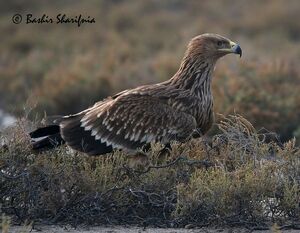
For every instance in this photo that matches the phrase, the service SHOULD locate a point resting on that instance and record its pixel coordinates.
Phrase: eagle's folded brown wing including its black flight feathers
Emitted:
(129, 121)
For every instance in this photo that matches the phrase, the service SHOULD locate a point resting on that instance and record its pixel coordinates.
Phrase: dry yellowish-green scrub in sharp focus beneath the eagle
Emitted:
(237, 179)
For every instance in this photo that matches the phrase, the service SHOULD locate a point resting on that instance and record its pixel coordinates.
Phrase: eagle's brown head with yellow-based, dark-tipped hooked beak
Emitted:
(212, 47)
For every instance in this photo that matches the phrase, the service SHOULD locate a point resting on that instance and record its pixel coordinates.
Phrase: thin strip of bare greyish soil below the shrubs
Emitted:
(66, 229)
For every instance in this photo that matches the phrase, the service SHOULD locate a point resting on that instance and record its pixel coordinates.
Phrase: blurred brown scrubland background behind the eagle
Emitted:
(62, 69)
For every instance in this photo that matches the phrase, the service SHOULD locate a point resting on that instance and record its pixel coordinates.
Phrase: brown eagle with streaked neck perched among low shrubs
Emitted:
(173, 110)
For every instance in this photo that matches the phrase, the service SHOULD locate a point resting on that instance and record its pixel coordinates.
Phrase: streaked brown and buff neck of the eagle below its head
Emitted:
(194, 75)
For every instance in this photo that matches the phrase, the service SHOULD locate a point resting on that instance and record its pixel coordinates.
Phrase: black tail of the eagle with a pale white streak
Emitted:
(46, 138)
